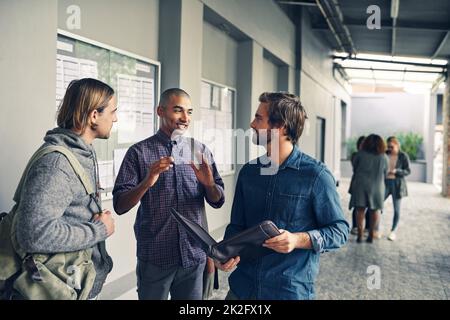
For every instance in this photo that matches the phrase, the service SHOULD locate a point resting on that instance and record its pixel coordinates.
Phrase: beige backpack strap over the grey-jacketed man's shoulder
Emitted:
(76, 165)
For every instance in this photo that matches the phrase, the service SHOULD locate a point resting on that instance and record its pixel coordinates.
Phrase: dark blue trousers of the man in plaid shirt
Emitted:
(155, 283)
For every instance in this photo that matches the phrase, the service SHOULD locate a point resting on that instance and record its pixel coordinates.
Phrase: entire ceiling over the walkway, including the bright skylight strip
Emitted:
(410, 46)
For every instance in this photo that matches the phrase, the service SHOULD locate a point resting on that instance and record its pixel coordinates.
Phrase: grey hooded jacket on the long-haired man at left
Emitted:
(55, 214)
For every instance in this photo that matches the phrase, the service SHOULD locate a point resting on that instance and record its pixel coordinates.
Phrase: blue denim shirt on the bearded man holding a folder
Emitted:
(300, 197)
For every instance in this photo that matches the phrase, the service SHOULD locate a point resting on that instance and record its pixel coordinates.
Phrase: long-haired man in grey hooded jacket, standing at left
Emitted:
(55, 213)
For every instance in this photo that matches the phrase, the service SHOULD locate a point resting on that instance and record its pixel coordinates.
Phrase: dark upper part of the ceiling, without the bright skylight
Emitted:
(421, 27)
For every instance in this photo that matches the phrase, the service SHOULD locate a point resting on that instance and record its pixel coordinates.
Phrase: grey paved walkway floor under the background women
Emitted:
(415, 266)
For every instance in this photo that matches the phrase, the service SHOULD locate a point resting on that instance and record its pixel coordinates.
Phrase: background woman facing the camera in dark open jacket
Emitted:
(395, 180)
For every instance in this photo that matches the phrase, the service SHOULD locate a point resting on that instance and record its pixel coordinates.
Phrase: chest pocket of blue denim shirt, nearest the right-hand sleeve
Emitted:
(292, 210)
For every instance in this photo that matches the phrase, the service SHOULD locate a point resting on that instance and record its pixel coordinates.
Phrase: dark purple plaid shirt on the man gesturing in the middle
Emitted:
(160, 240)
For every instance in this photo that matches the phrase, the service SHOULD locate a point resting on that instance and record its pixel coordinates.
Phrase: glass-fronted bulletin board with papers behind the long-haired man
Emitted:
(136, 82)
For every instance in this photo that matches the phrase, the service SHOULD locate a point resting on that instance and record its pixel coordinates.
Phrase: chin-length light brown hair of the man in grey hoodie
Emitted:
(82, 97)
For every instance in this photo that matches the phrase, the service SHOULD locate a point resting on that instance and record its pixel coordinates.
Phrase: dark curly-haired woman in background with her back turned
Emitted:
(367, 188)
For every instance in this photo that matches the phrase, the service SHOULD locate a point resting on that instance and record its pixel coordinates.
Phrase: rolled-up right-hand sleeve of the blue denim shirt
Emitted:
(333, 229)
